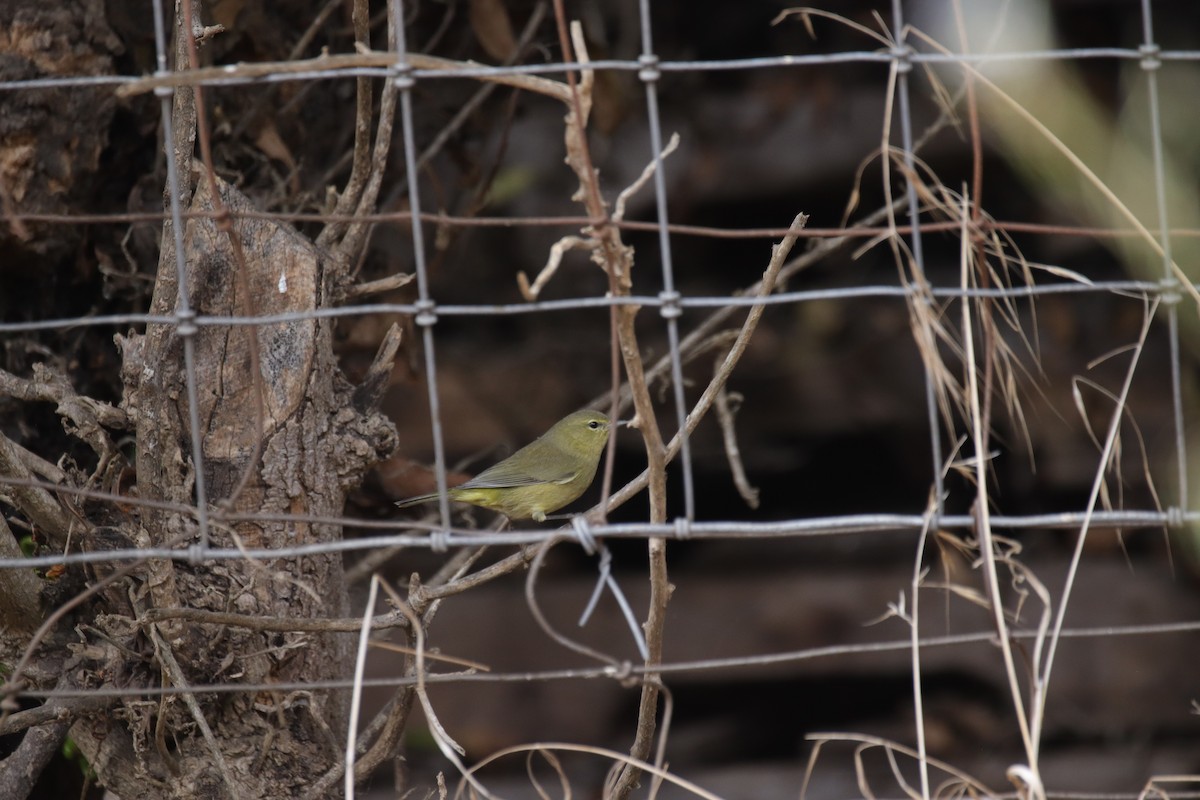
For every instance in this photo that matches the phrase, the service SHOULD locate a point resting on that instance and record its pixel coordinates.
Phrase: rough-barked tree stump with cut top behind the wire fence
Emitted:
(279, 436)
